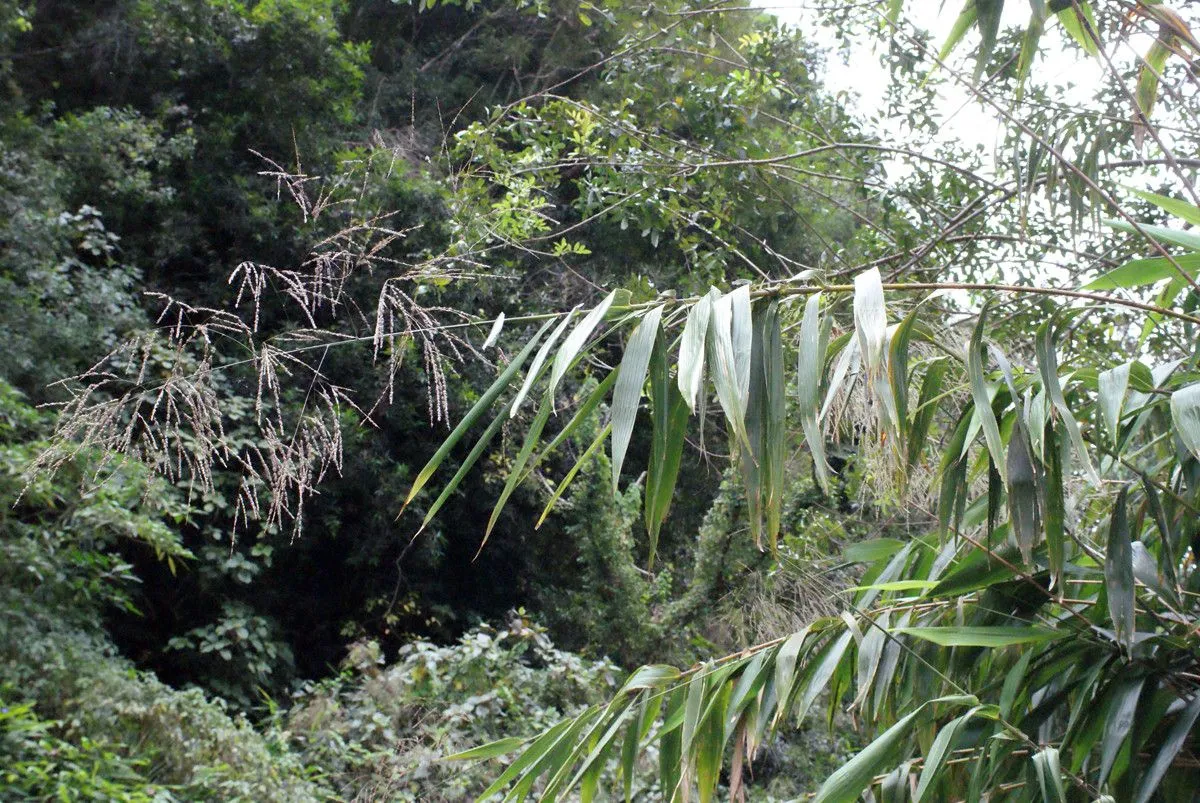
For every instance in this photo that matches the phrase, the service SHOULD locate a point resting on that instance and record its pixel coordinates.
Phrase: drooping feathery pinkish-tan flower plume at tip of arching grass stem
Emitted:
(177, 399)
